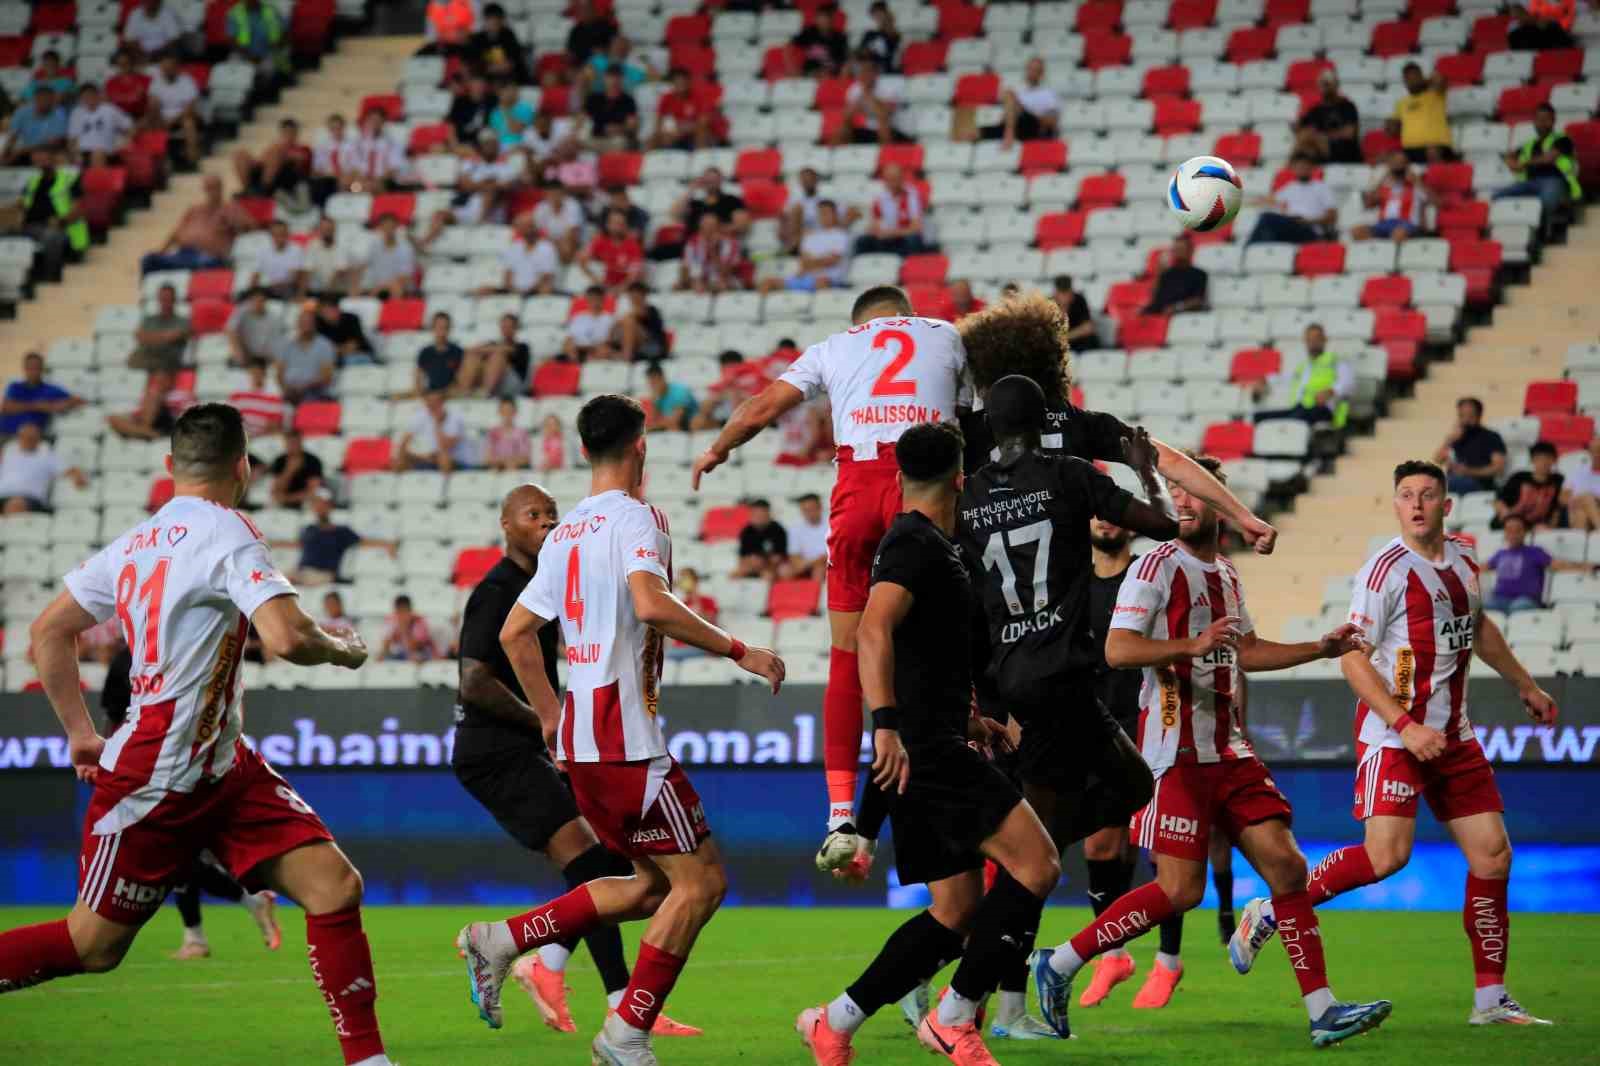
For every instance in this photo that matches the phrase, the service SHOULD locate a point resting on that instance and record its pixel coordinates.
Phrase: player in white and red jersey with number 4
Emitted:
(606, 572)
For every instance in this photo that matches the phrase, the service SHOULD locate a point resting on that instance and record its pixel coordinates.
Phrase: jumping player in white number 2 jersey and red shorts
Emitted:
(887, 374)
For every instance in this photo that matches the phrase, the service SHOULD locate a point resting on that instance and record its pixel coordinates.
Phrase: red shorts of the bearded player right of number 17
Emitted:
(1193, 798)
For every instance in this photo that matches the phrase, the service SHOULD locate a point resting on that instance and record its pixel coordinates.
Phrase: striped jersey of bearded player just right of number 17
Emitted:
(1188, 711)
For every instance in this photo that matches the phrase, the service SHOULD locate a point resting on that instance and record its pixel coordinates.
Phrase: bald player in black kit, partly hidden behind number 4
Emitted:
(503, 759)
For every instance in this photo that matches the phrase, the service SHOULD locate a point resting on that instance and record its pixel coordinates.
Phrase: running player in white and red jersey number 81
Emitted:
(177, 779)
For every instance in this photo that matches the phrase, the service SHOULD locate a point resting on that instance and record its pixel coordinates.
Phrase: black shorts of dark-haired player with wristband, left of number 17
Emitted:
(954, 803)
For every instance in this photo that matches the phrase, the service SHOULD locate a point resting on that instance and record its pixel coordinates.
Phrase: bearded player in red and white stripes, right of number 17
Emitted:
(1182, 617)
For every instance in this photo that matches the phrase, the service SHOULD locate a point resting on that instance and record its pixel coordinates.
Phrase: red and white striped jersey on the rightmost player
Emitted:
(1422, 619)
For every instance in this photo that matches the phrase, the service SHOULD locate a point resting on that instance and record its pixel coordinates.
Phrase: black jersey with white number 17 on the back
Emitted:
(1025, 527)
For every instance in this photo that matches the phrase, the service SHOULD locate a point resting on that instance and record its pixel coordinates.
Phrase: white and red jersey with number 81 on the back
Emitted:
(183, 585)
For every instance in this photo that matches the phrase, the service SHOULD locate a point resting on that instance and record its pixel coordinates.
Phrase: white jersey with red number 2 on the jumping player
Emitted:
(884, 377)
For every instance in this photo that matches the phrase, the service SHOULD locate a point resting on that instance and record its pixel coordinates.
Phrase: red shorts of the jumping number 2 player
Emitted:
(866, 499)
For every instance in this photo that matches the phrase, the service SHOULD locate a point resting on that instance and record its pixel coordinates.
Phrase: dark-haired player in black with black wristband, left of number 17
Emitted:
(951, 808)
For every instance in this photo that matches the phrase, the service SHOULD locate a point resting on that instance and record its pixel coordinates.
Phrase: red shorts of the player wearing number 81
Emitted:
(246, 819)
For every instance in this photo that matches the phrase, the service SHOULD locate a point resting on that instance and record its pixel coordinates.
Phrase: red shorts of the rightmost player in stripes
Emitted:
(1455, 785)
